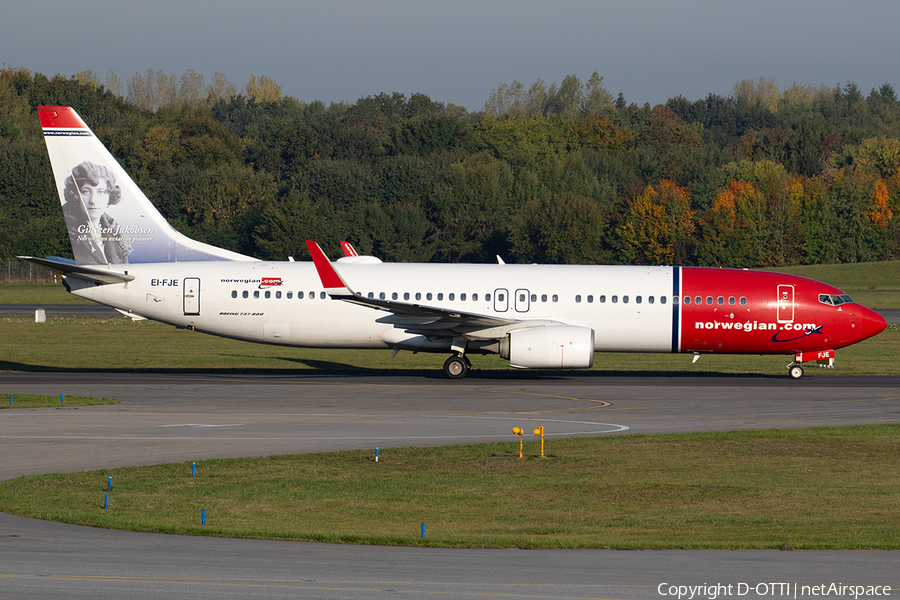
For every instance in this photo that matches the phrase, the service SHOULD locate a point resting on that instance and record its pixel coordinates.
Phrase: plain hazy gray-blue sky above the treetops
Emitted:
(457, 52)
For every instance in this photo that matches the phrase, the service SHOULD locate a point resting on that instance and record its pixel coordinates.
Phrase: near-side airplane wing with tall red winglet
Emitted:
(415, 318)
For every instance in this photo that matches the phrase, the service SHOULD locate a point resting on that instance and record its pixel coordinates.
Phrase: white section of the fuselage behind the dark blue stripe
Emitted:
(285, 303)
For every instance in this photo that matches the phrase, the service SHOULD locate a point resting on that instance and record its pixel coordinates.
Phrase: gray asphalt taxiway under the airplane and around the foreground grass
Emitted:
(165, 417)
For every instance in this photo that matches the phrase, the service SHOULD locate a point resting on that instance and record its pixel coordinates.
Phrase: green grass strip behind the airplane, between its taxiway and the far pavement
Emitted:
(91, 344)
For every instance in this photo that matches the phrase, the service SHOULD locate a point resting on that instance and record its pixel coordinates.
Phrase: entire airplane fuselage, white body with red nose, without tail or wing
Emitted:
(630, 309)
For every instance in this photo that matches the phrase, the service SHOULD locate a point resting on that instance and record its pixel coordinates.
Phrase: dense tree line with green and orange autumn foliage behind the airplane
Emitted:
(566, 173)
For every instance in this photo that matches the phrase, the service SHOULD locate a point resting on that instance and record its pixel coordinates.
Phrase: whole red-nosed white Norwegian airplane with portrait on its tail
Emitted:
(536, 316)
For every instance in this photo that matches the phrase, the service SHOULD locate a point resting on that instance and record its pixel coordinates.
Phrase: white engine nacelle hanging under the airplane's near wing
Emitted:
(549, 347)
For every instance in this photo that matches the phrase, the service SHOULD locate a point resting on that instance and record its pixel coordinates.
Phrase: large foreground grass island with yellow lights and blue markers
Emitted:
(806, 488)
